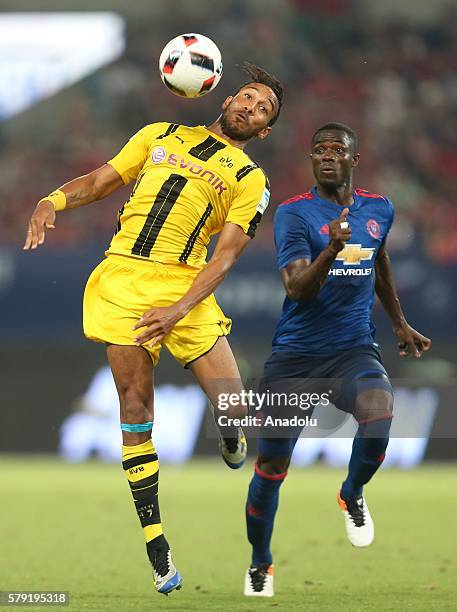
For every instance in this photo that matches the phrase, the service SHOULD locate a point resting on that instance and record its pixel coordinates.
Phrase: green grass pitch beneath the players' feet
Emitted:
(73, 528)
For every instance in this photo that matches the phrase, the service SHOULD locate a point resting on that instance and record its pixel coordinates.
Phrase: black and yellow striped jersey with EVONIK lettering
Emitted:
(189, 183)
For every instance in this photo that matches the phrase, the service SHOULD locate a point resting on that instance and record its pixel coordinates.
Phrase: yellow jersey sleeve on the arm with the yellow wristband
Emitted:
(132, 157)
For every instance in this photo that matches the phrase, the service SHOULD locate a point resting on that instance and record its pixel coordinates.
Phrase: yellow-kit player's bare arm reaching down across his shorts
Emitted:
(159, 321)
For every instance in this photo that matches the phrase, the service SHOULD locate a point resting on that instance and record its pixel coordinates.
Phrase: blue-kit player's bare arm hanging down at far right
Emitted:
(411, 342)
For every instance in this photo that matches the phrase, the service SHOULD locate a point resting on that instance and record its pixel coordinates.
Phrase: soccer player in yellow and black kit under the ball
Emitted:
(155, 287)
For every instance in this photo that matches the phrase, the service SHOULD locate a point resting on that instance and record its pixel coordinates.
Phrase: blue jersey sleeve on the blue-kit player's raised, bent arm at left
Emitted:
(291, 236)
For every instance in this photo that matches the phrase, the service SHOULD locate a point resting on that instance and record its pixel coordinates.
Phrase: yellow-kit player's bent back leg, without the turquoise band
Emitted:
(219, 377)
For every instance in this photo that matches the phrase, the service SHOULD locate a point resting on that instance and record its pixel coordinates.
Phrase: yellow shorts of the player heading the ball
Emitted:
(121, 289)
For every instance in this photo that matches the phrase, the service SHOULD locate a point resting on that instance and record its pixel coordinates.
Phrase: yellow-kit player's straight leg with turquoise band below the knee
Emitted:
(133, 375)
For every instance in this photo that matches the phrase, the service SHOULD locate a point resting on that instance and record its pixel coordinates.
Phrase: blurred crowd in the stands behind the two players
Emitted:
(394, 82)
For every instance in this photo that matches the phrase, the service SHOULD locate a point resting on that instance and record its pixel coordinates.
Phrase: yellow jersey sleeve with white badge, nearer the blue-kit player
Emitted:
(251, 199)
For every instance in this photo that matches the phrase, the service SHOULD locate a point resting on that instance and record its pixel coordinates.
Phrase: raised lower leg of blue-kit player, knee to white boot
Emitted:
(373, 412)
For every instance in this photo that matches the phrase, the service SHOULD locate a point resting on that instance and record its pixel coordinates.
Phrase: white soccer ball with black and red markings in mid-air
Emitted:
(190, 65)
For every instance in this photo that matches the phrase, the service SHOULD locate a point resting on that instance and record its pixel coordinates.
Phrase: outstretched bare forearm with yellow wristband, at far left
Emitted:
(78, 192)
